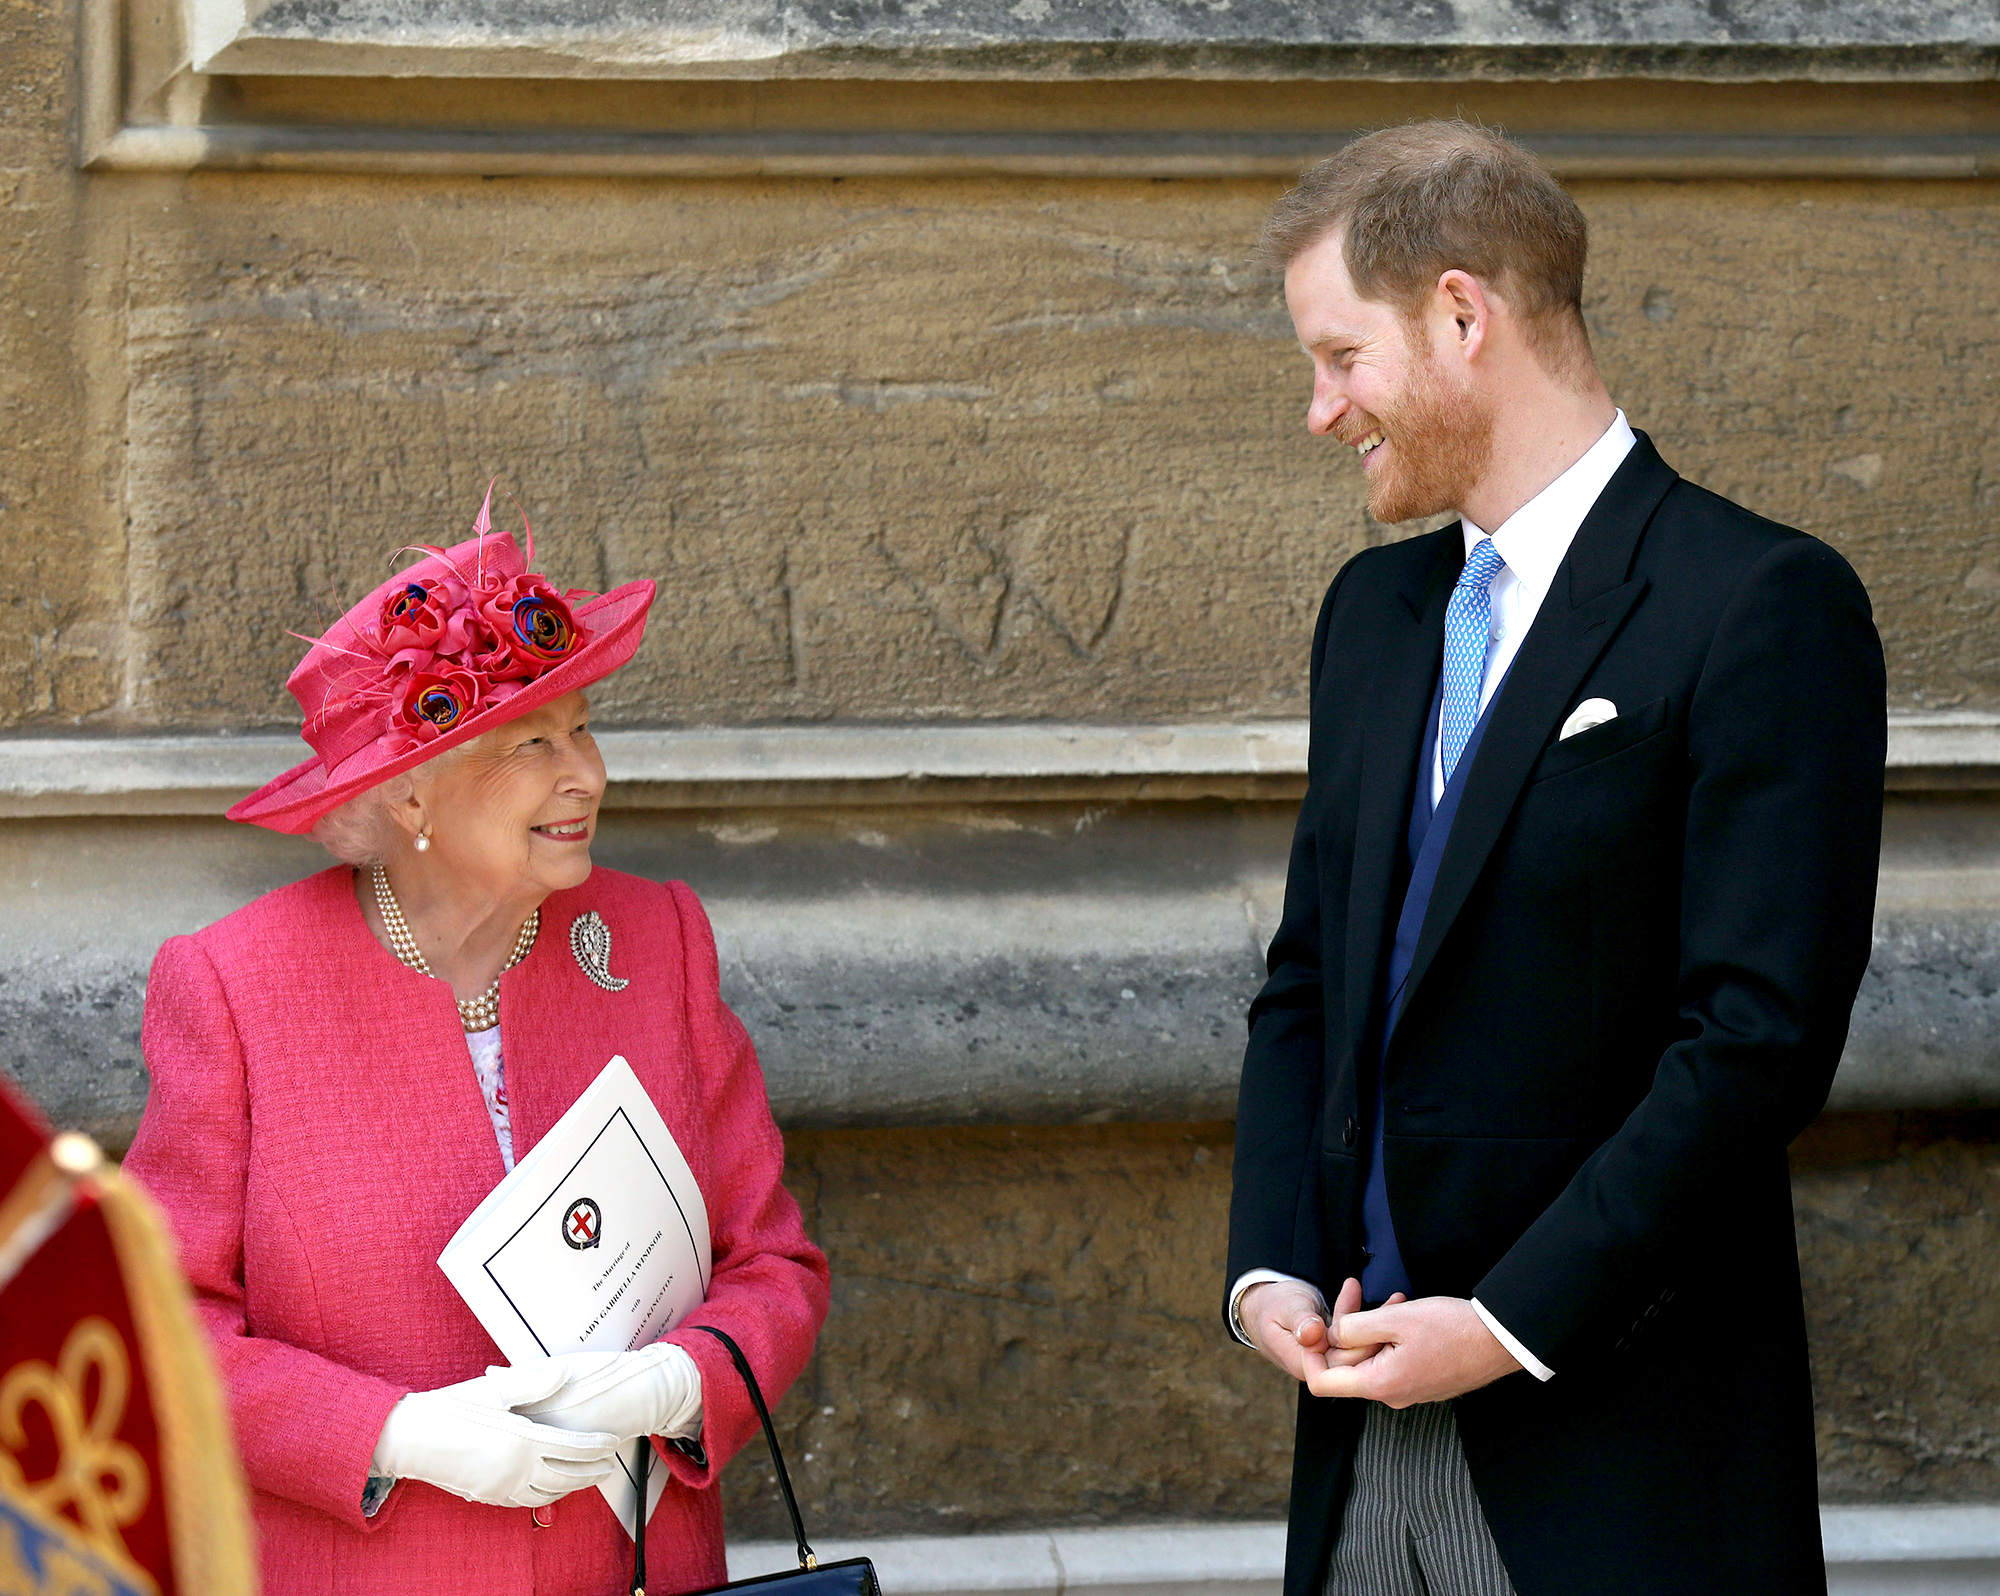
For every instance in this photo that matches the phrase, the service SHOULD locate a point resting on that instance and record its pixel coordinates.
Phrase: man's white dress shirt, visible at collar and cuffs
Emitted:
(1533, 543)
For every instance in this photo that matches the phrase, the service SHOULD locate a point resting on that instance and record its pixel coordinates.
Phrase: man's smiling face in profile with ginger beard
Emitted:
(1383, 387)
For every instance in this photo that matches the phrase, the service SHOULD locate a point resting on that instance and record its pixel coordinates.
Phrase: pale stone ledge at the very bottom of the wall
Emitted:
(1871, 1551)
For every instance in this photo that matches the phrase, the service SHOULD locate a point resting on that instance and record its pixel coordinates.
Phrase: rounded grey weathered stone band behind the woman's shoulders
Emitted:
(953, 965)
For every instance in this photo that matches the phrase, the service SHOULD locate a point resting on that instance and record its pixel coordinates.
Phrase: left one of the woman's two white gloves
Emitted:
(469, 1441)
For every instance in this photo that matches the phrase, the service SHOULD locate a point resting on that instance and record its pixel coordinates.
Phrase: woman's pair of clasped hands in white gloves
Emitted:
(527, 1437)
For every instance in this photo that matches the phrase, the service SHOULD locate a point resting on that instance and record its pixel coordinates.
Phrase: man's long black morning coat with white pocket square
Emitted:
(1631, 993)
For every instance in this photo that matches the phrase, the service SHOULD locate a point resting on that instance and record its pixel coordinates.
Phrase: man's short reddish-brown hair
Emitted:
(1419, 201)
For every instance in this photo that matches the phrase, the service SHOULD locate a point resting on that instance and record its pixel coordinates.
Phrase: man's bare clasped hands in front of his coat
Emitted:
(1399, 1355)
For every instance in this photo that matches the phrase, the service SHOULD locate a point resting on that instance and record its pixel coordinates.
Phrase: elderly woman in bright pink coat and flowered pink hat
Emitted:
(347, 1067)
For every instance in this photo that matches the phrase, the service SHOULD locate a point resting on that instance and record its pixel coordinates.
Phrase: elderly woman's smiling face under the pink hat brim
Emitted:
(515, 813)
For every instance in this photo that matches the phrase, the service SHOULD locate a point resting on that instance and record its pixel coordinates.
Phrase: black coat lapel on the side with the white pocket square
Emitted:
(1553, 661)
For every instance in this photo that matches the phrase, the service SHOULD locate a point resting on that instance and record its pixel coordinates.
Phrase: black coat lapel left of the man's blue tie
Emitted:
(1397, 705)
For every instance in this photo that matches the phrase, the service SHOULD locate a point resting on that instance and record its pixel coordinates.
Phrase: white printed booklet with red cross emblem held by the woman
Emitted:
(599, 1239)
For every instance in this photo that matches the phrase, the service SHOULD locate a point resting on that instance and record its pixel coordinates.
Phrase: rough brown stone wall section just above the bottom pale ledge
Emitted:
(1027, 1327)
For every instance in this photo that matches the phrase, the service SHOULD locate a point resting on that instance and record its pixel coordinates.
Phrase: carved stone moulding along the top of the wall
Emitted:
(147, 69)
